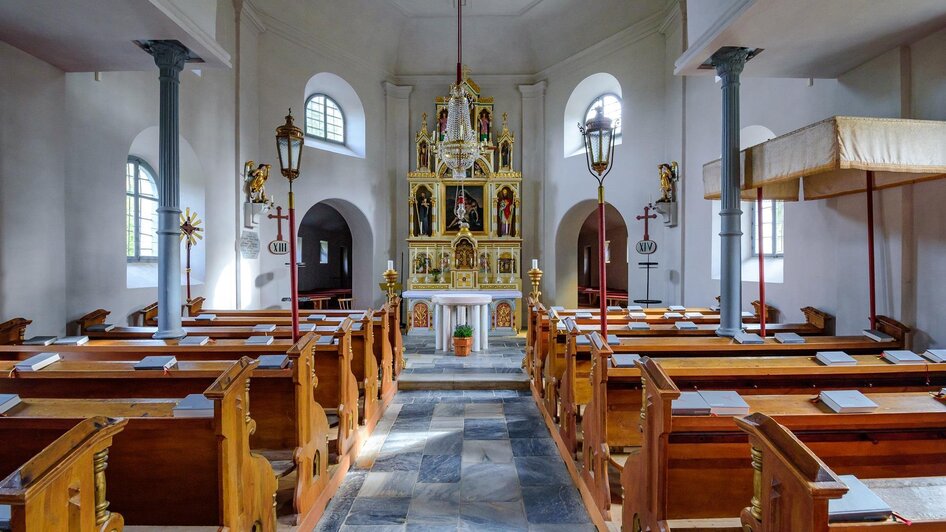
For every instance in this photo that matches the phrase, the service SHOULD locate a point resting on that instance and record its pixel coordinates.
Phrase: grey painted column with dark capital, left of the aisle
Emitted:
(170, 58)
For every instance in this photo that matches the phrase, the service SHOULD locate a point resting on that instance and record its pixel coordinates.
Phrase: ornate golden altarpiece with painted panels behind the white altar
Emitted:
(446, 257)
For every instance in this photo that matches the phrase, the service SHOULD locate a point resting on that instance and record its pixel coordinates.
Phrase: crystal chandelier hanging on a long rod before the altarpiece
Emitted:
(459, 149)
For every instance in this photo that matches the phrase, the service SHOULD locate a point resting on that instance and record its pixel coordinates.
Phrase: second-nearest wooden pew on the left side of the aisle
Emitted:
(174, 471)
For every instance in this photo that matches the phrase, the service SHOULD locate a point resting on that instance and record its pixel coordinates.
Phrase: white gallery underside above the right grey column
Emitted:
(813, 38)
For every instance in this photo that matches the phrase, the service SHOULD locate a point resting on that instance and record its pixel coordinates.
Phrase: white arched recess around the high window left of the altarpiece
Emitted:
(352, 108)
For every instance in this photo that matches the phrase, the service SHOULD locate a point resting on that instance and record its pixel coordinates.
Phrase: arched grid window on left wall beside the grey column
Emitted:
(141, 208)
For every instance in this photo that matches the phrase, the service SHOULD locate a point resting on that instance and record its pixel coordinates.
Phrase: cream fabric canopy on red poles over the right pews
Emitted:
(832, 157)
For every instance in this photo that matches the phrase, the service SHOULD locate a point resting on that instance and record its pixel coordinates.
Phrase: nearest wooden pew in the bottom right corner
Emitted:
(792, 488)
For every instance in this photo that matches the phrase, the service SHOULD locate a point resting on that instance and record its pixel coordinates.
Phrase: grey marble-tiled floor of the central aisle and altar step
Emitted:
(459, 459)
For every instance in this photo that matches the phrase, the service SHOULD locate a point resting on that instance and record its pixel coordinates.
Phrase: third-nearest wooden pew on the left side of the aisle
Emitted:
(292, 428)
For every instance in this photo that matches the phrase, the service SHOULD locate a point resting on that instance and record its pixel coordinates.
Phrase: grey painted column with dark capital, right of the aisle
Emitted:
(729, 64)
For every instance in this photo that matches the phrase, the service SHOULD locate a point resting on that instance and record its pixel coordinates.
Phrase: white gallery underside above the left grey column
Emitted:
(98, 35)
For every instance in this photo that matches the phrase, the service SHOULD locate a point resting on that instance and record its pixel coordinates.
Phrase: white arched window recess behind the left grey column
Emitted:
(145, 147)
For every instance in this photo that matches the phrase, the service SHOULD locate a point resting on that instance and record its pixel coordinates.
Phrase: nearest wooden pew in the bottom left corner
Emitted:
(57, 484)
